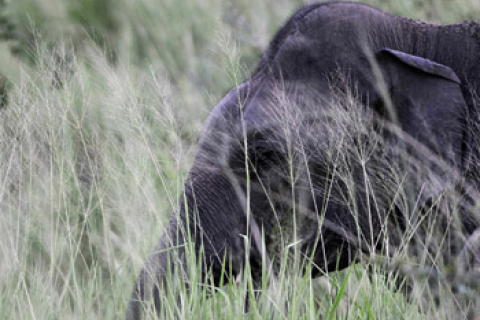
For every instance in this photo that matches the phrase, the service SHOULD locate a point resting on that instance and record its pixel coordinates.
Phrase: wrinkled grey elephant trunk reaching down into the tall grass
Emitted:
(208, 228)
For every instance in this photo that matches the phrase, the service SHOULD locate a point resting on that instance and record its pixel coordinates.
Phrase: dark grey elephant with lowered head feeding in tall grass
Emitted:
(338, 81)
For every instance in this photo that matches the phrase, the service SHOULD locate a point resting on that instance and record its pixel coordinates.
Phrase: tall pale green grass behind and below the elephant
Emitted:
(102, 102)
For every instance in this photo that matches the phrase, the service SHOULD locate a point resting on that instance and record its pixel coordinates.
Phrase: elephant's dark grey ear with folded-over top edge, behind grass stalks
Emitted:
(423, 98)
